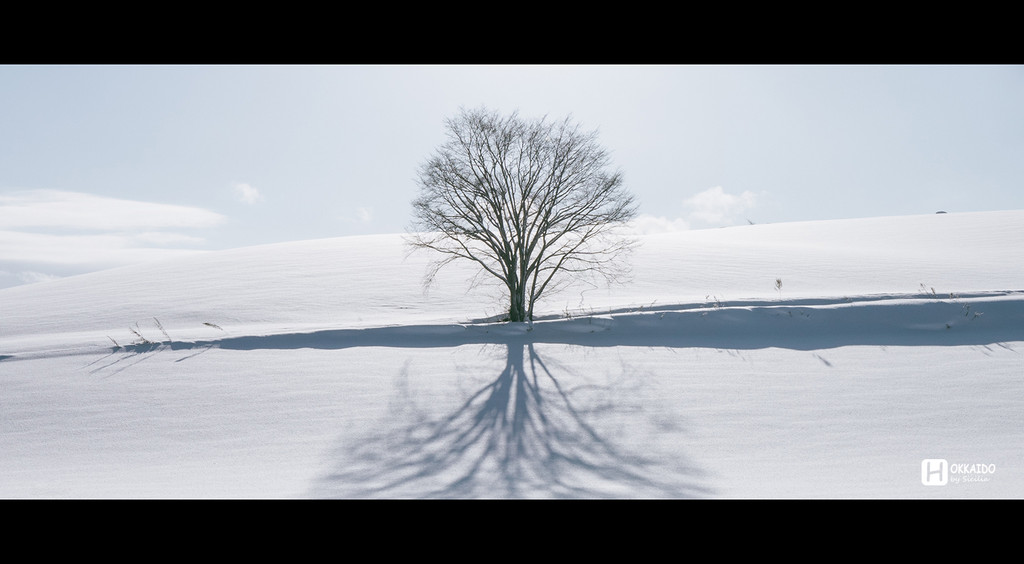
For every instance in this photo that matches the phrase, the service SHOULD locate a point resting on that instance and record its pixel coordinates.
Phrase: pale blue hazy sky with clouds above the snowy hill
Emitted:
(103, 166)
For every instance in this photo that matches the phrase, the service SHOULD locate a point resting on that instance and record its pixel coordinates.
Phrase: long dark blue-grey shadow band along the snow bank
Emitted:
(922, 323)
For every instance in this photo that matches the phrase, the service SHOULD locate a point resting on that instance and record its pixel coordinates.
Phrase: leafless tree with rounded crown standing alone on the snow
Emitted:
(533, 203)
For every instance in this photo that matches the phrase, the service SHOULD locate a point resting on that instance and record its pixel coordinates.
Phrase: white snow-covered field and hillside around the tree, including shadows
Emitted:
(321, 369)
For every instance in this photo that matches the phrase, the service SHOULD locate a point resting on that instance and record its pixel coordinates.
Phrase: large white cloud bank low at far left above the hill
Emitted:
(46, 232)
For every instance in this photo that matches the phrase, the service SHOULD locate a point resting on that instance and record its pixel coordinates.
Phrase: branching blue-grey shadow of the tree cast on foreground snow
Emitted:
(522, 436)
